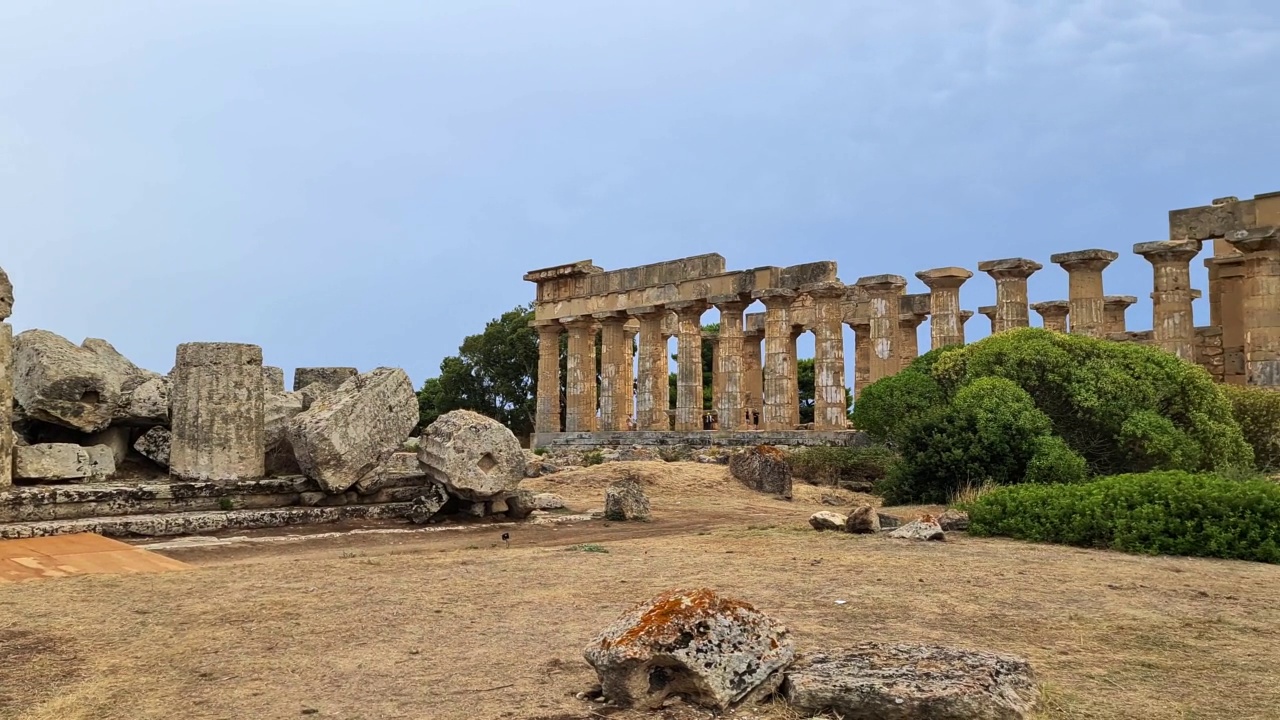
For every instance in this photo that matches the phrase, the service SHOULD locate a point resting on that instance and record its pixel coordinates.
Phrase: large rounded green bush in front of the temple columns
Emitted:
(1064, 408)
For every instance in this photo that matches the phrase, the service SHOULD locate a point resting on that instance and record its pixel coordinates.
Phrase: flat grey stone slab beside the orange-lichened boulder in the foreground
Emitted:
(903, 682)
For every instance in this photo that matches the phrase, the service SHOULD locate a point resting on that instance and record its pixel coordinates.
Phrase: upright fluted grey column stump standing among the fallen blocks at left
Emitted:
(218, 413)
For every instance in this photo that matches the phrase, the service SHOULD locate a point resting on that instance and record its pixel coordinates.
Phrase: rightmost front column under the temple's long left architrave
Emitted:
(830, 411)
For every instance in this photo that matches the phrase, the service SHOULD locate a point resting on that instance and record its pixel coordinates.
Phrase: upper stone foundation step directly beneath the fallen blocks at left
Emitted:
(107, 500)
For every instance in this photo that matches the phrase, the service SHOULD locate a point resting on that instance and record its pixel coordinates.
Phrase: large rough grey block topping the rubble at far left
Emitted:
(61, 384)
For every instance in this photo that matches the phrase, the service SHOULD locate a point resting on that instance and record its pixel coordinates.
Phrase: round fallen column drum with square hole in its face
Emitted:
(477, 458)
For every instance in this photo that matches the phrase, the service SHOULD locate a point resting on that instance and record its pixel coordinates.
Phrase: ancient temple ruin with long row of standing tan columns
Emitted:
(628, 317)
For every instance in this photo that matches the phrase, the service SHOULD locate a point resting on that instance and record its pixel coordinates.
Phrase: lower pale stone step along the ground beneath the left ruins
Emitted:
(194, 523)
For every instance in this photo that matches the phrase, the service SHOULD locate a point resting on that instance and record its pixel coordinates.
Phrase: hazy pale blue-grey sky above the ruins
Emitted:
(364, 184)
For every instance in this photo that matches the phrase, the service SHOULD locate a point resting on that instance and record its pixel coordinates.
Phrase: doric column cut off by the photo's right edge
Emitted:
(1261, 302)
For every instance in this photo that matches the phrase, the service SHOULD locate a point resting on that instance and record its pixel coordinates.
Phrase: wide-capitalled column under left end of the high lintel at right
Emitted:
(1173, 325)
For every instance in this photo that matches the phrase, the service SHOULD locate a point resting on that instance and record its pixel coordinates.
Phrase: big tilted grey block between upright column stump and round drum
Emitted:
(350, 431)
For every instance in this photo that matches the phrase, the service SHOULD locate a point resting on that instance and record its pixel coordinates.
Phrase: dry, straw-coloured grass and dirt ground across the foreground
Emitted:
(456, 626)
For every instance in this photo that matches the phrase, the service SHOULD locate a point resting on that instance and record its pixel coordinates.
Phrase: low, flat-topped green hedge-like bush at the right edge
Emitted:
(1167, 513)
